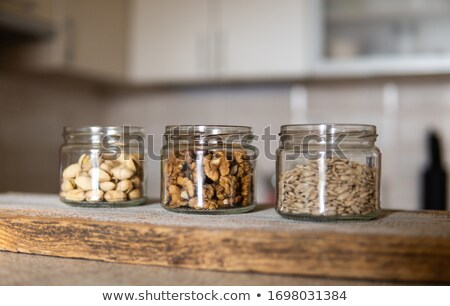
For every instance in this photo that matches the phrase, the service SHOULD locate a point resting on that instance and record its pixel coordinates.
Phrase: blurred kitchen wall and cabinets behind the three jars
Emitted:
(254, 62)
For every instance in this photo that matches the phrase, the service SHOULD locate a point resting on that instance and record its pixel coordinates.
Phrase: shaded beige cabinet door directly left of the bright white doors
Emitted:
(95, 37)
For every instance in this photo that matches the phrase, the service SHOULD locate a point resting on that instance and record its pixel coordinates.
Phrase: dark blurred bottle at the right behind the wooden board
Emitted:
(434, 177)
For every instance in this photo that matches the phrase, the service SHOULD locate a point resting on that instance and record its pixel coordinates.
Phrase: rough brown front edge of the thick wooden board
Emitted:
(309, 253)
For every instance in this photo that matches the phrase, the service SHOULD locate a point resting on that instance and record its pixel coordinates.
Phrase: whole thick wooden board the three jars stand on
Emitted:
(399, 246)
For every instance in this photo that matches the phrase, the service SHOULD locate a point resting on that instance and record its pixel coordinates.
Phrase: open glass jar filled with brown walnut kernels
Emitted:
(208, 169)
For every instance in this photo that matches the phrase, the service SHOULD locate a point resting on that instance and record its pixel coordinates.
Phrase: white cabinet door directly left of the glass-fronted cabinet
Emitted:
(264, 38)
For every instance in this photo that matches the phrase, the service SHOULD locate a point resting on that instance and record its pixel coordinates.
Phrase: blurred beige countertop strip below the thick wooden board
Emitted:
(23, 269)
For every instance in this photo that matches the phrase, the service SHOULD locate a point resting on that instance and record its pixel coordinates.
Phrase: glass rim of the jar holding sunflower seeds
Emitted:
(329, 129)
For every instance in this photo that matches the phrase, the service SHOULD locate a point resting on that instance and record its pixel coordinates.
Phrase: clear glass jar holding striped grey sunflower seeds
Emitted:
(328, 172)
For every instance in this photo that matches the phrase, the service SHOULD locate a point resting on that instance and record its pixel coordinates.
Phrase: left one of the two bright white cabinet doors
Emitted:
(169, 40)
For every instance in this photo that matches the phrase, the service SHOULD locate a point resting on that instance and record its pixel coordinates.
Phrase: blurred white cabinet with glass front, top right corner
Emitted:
(368, 38)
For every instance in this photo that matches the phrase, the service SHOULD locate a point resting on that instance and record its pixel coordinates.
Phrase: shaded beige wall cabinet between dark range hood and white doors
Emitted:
(90, 40)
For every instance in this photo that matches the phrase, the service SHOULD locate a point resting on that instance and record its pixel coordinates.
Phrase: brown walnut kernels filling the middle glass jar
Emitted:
(225, 179)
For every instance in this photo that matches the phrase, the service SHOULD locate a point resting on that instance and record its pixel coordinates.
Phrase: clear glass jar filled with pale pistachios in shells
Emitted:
(103, 166)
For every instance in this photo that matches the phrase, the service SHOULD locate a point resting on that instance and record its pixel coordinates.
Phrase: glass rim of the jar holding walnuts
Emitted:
(206, 130)
